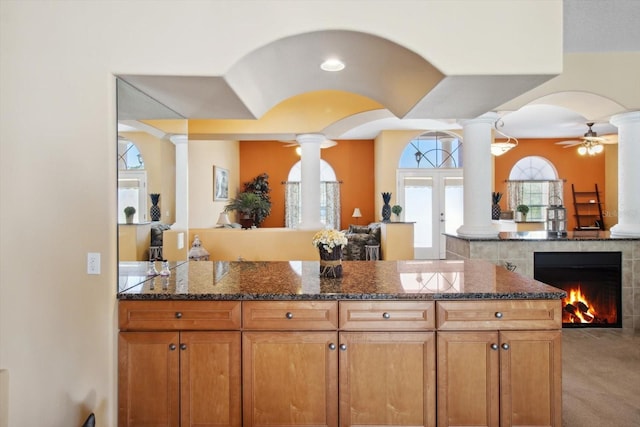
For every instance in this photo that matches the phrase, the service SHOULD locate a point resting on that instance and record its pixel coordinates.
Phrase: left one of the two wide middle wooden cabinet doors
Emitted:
(290, 379)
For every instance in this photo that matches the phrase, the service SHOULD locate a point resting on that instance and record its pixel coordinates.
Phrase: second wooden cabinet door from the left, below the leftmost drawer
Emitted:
(210, 379)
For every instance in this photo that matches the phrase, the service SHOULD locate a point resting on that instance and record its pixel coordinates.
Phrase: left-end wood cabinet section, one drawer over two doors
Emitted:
(170, 376)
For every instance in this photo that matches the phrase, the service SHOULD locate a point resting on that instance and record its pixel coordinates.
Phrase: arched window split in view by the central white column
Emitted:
(329, 196)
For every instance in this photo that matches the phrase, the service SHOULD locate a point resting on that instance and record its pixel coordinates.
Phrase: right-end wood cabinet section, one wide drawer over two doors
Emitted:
(489, 375)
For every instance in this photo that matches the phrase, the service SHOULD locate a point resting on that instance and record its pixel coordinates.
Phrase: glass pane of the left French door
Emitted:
(418, 196)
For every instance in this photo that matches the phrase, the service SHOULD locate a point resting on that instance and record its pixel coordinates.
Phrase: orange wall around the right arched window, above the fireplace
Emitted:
(582, 171)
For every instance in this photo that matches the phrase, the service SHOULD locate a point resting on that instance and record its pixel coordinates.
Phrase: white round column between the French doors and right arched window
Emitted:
(476, 172)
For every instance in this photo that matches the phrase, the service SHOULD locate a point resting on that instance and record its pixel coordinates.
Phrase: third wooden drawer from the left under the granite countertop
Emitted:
(387, 315)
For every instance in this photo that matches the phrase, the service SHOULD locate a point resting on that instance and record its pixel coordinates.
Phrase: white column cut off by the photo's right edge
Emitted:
(628, 125)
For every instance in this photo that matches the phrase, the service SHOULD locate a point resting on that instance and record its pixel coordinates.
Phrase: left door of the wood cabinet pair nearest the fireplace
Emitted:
(468, 388)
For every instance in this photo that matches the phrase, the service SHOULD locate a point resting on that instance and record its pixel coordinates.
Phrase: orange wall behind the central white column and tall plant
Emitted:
(351, 160)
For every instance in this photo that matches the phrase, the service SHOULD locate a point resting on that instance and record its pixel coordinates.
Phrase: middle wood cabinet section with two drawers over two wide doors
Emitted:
(294, 377)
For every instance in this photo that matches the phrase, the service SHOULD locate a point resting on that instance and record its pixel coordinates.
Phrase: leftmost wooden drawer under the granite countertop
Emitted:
(179, 315)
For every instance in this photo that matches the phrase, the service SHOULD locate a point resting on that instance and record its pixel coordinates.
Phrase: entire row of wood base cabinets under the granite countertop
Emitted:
(340, 363)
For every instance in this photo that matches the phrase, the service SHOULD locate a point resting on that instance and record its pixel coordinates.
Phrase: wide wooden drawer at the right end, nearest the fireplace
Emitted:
(499, 315)
